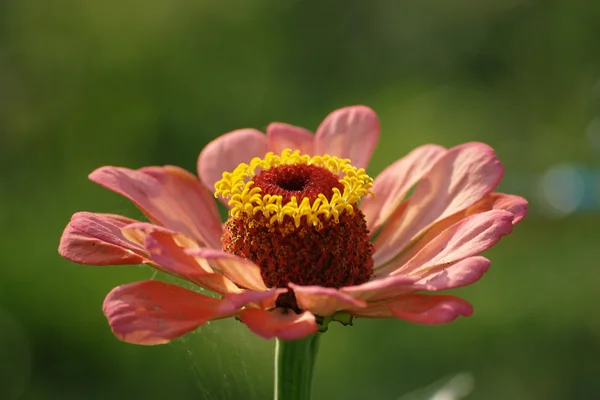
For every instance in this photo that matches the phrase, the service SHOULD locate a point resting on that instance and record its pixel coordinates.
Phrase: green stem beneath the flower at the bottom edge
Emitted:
(294, 365)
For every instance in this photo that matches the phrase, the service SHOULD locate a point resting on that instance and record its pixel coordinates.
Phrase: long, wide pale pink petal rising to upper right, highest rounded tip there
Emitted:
(462, 176)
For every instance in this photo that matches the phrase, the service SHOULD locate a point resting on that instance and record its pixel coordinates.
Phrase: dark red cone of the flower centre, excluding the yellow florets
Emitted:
(335, 252)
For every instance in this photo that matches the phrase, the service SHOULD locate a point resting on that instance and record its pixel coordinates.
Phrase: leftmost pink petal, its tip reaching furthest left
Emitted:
(96, 239)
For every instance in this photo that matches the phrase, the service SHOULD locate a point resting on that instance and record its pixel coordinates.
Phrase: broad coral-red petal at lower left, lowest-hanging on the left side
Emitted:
(154, 312)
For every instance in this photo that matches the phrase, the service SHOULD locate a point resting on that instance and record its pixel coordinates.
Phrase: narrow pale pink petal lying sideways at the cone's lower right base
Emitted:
(387, 287)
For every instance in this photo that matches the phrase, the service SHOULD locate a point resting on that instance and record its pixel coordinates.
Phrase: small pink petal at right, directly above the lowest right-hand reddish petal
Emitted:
(459, 274)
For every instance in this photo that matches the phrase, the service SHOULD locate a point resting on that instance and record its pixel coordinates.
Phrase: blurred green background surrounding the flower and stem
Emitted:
(134, 83)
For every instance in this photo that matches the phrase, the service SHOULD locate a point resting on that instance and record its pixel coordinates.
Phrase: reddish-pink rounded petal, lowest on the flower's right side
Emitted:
(428, 309)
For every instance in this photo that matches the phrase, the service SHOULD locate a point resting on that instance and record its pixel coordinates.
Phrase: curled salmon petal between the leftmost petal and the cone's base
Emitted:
(167, 250)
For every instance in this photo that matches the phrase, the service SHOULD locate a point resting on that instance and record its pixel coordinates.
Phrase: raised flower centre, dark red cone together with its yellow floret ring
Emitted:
(320, 240)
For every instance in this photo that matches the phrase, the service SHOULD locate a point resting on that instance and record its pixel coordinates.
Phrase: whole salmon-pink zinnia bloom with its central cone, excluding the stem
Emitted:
(310, 237)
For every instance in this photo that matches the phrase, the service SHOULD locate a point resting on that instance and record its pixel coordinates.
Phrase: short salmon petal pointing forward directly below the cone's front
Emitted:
(323, 301)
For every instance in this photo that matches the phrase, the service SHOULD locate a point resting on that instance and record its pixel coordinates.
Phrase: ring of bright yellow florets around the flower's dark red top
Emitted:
(244, 197)
